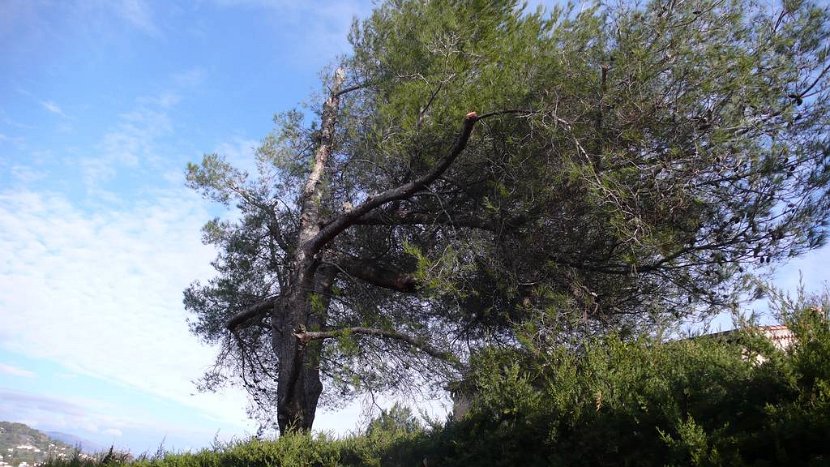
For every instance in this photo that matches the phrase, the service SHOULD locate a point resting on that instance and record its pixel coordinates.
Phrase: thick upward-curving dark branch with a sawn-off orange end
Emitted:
(342, 222)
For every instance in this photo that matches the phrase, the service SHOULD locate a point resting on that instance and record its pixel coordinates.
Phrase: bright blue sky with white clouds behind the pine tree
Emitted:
(102, 103)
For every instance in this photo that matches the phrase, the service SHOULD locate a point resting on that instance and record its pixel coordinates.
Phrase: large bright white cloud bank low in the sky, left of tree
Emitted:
(100, 292)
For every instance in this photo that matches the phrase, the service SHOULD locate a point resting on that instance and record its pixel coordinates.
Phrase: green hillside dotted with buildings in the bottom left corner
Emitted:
(20, 443)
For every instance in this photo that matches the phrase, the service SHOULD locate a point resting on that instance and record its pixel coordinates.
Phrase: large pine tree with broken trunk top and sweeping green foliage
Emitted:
(478, 166)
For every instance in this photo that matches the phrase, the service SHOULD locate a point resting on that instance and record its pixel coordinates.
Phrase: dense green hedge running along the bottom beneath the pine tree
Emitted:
(610, 401)
